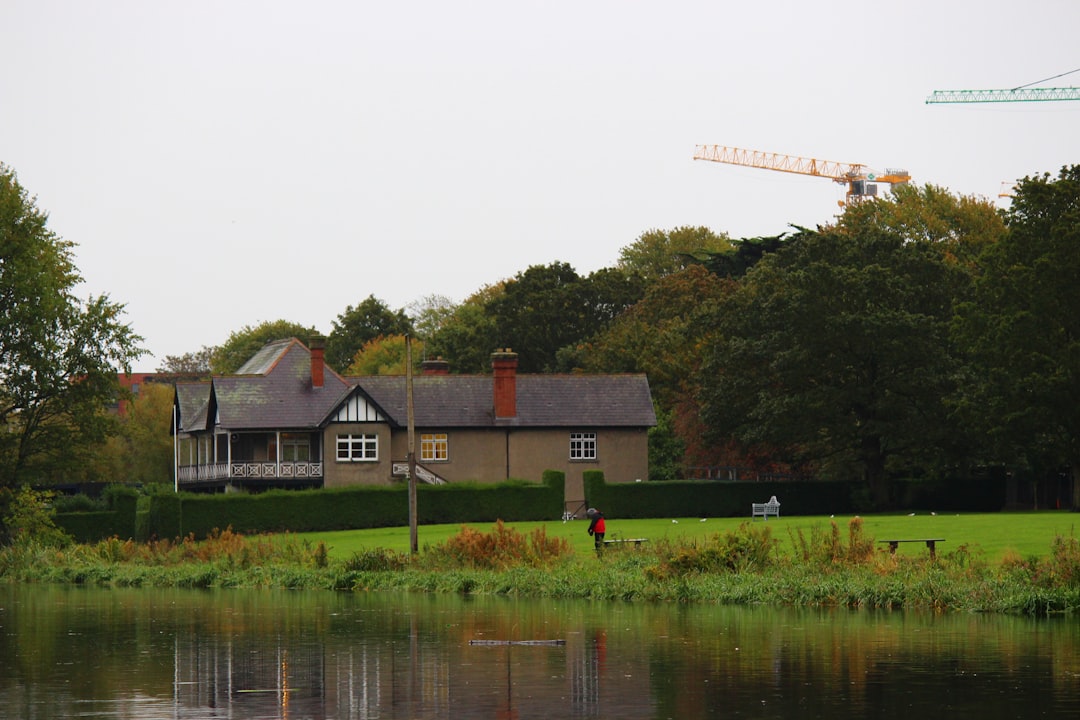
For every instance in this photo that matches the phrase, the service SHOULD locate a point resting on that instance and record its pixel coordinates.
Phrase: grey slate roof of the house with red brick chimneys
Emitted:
(274, 392)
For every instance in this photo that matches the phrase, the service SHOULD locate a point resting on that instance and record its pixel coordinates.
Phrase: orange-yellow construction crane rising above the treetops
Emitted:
(861, 181)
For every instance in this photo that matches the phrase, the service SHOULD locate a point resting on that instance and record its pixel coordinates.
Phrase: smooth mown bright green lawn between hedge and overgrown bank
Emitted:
(994, 534)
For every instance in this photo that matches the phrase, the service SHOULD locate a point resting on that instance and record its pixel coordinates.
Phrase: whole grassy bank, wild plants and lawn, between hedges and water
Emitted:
(1033, 567)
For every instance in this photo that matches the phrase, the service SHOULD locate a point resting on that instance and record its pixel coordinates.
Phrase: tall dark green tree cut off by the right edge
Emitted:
(1023, 327)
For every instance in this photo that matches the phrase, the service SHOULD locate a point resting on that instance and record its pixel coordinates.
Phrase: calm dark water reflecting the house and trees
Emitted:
(96, 654)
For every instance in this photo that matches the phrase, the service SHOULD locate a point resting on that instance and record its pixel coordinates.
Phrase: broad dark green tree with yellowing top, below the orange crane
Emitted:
(835, 351)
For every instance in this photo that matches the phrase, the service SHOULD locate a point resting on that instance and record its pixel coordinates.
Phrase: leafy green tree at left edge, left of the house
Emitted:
(59, 355)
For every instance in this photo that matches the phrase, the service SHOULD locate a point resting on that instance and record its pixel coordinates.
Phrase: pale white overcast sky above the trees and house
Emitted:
(222, 164)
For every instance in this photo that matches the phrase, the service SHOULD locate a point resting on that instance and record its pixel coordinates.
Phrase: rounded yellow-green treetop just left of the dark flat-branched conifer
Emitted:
(658, 253)
